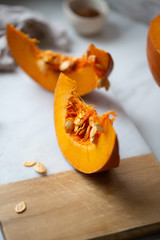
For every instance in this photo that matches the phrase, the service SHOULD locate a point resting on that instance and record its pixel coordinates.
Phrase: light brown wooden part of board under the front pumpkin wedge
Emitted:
(119, 204)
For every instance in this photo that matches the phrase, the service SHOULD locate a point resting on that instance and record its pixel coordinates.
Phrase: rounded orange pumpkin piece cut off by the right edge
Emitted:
(153, 48)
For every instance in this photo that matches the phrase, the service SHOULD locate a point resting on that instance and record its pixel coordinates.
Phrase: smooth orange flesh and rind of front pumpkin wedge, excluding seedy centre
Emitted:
(83, 155)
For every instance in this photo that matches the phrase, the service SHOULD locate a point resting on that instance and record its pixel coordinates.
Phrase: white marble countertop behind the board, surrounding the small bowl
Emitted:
(131, 79)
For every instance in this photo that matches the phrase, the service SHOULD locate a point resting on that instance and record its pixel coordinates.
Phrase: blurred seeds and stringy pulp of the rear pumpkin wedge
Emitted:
(49, 60)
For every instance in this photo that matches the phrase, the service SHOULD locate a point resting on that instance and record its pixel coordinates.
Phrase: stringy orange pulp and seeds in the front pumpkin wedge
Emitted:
(82, 121)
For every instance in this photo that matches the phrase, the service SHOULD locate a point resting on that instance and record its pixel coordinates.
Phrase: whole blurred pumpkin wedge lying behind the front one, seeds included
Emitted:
(89, 71)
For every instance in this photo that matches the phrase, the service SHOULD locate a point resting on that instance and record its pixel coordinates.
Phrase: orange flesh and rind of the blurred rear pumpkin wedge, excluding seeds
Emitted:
(26, 54)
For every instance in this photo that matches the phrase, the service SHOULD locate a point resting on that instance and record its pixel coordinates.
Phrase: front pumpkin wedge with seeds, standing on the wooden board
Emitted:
(88, 141)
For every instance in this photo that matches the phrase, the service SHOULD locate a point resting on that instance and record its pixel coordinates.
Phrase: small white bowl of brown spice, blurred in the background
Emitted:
(86, 25)
